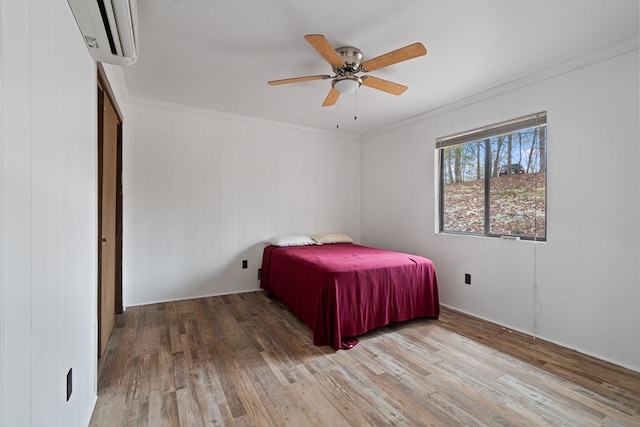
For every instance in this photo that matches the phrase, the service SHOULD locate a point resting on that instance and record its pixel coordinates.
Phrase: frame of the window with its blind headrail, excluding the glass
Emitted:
(484, 134)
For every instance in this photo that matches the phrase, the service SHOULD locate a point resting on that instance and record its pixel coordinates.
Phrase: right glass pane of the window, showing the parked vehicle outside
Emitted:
(518, 188)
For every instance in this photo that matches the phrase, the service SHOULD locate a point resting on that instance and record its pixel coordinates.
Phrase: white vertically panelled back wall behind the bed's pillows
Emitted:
(203, 190)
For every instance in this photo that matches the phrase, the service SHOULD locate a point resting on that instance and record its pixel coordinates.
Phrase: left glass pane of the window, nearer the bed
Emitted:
(463, 187)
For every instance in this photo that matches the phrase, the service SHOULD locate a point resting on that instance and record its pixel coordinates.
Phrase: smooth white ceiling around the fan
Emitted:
(219, 55)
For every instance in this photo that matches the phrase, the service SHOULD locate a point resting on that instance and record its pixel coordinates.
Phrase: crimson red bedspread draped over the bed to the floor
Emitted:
(344, 290)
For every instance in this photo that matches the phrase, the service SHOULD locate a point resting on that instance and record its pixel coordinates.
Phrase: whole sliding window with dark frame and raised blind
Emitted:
(493, 179)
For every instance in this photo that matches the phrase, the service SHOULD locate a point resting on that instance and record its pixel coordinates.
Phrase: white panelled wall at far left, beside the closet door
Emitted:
(48, 216)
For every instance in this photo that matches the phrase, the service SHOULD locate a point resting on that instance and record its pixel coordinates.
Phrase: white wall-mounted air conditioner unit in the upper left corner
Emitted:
(109, 28)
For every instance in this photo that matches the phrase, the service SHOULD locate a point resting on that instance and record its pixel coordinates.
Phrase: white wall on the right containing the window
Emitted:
(587, 272)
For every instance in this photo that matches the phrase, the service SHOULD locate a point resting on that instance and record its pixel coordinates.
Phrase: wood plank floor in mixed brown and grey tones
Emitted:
(245, 360)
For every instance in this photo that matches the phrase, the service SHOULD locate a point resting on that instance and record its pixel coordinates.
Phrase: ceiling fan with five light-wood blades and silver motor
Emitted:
(347, 63)
